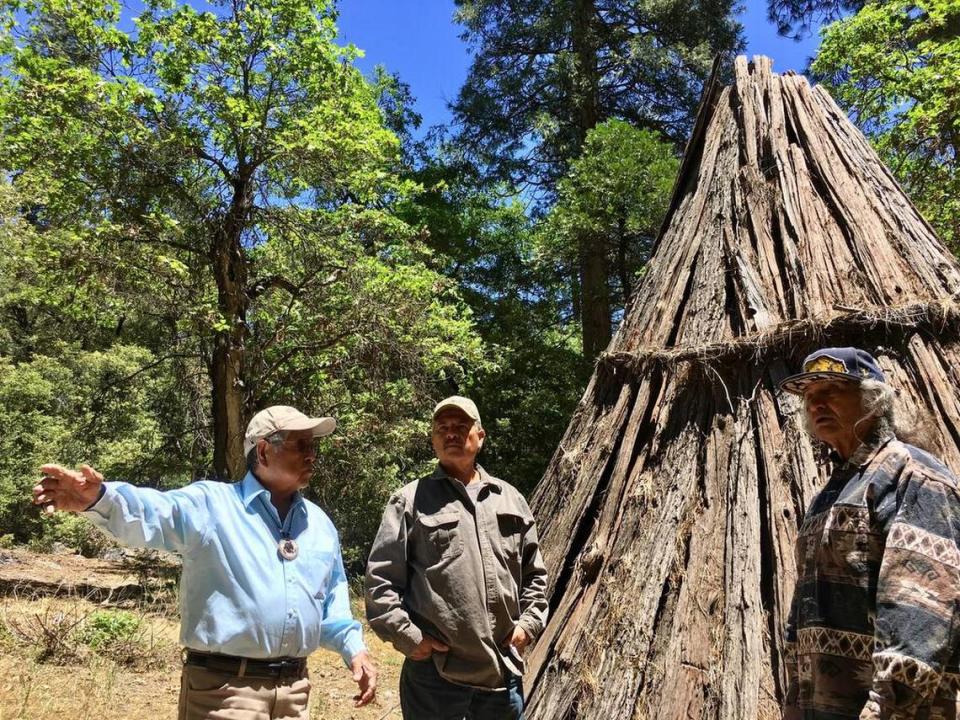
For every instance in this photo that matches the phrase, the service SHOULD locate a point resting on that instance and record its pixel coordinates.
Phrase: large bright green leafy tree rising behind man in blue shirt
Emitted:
(180, 150)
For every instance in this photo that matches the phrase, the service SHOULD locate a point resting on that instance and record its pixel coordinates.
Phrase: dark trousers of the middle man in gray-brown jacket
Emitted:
(424, 695)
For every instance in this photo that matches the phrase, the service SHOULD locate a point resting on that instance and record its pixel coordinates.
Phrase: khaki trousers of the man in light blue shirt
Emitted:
(210, 695)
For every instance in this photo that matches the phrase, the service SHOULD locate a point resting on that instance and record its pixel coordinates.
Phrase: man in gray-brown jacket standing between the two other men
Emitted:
(455, 580)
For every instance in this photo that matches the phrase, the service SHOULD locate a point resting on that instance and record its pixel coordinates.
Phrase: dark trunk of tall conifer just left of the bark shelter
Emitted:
(594, 281)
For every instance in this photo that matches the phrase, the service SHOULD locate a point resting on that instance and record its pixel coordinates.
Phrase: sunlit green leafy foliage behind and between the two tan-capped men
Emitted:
(373, 342)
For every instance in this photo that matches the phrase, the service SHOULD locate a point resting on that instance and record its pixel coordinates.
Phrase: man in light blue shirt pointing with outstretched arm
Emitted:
(263, 583)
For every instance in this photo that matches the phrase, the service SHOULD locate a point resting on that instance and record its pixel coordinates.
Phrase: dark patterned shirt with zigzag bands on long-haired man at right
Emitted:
(873, 628)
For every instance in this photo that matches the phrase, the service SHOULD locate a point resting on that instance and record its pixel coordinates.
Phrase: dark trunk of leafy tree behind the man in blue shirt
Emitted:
(227, 365)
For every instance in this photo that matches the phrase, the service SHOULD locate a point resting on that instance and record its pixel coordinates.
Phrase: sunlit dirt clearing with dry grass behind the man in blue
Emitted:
(104, 685)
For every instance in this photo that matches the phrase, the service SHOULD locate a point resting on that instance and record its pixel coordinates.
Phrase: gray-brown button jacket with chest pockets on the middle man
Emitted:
(464, 572)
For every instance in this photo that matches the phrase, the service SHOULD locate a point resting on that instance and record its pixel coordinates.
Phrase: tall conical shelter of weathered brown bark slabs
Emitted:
(668, 514)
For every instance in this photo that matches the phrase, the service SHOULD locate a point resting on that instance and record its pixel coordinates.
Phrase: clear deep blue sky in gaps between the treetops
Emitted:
(419, 40)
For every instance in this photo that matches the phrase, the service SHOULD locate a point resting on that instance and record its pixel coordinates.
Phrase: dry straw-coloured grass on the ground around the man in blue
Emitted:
(88, 684)
